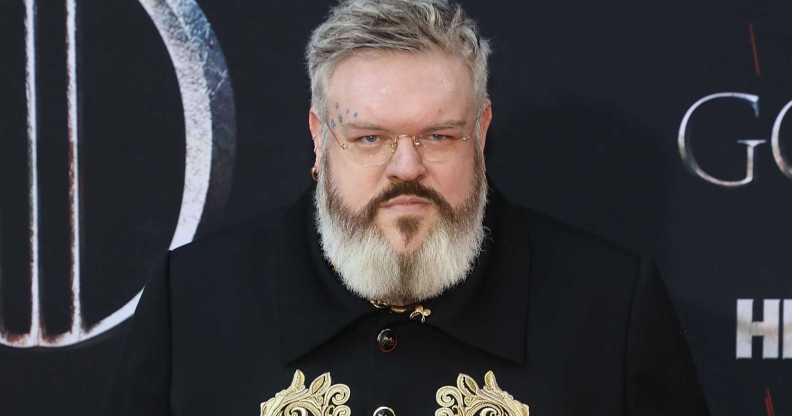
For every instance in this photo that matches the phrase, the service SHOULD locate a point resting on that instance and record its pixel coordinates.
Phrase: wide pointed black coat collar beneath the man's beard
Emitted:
(488, 310)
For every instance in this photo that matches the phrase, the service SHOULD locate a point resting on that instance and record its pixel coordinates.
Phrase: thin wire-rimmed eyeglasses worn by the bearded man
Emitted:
(377, 149)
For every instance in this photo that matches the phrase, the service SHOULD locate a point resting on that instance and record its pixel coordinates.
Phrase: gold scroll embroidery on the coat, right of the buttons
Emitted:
(467, 399)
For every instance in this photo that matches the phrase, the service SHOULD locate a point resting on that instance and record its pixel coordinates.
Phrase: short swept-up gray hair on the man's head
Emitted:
(394, 25)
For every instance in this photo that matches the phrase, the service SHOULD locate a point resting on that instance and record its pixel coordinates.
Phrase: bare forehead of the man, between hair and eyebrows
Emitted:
(401, 89)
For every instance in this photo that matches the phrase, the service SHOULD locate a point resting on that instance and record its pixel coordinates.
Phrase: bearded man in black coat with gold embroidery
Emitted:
(401, 285)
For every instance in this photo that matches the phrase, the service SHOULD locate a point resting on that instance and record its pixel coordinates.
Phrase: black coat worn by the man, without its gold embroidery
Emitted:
(568, 323)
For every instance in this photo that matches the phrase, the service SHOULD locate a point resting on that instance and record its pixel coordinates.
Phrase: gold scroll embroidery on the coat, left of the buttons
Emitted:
(322, 398)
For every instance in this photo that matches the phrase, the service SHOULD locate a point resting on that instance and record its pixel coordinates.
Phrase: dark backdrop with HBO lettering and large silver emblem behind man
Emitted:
(133, 127)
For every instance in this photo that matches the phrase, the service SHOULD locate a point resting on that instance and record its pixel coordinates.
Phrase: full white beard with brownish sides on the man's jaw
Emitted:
(372, 269)
